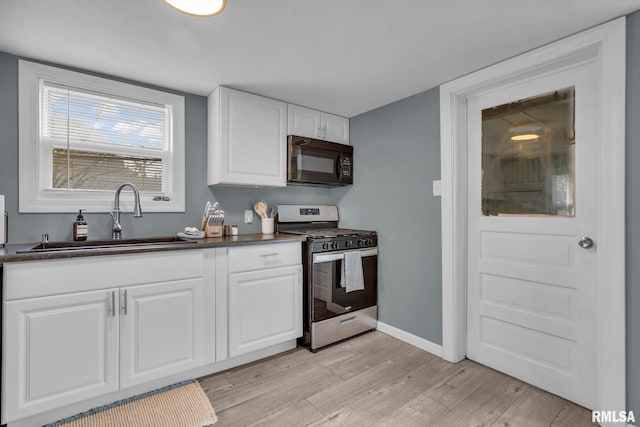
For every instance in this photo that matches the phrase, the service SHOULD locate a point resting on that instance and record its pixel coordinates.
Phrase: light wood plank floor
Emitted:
(376, 380)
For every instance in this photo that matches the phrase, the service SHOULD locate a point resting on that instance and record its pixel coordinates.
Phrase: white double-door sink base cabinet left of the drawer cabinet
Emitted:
(71, 346)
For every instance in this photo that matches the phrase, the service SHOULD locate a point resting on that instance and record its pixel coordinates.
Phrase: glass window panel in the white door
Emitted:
(528, 156)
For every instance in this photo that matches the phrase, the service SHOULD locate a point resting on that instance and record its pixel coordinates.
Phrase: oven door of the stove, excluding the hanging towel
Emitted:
(329, 297)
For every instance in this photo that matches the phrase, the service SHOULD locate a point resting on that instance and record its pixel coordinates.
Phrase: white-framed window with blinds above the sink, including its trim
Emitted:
(81, 136)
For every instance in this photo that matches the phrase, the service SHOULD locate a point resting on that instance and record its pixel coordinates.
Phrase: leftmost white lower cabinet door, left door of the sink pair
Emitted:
(58, 350)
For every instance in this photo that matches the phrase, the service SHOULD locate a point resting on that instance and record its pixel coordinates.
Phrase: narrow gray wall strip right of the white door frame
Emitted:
(633, 212)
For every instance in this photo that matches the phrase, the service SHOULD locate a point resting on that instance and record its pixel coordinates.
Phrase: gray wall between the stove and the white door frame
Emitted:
(397, 152)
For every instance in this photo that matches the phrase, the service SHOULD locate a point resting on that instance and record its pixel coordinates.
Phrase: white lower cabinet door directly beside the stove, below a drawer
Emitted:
(265, 308)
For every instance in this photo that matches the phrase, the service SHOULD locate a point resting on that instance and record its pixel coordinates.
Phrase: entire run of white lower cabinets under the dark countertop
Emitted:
(78, 329)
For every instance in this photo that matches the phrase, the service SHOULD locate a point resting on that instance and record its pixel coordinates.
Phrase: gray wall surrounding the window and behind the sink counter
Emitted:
(29, 227)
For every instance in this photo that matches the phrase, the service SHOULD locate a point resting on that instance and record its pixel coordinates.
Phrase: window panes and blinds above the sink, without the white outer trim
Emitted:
(95, 142)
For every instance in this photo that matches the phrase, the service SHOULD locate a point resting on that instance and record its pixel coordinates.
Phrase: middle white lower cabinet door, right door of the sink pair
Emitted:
(162, 330)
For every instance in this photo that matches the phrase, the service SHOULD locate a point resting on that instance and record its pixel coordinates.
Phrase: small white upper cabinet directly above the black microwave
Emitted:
(304, 121)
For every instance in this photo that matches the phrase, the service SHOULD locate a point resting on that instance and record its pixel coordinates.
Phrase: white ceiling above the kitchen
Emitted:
(340, 56)
